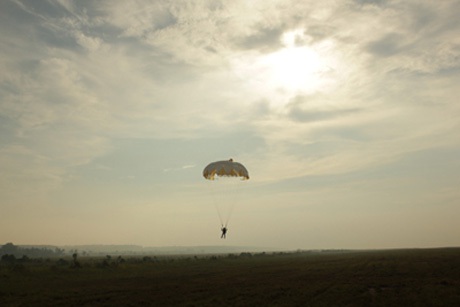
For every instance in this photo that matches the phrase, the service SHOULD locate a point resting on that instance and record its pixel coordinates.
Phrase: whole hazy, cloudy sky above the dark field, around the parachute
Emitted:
(345, 113)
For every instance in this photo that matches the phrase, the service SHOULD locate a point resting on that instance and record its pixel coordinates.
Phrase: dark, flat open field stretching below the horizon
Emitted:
(413, 277)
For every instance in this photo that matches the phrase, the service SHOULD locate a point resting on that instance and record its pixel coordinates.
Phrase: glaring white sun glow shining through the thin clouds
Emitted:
(297, 68)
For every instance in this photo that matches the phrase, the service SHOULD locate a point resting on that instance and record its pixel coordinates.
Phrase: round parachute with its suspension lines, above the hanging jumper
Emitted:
(225, 178)
